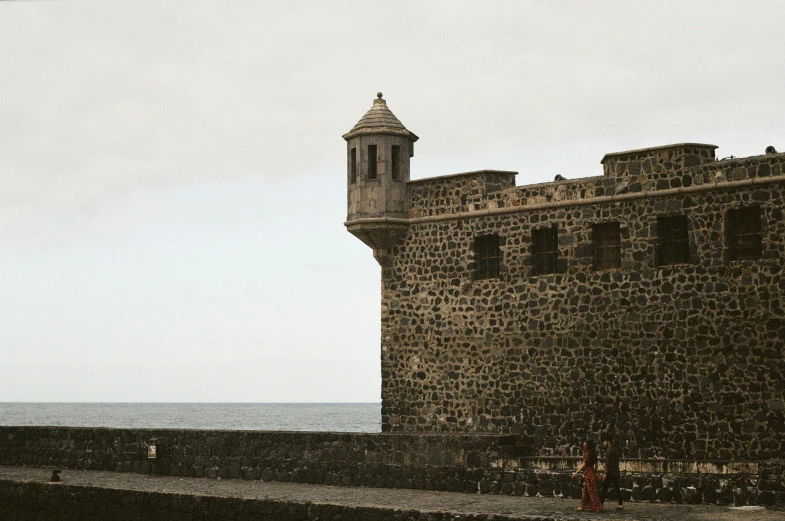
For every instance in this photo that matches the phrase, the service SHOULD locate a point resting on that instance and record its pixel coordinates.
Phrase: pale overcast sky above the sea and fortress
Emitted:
(172, 185)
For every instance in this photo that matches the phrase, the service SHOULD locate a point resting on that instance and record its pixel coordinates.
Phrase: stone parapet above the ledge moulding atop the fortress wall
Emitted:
(471, 194)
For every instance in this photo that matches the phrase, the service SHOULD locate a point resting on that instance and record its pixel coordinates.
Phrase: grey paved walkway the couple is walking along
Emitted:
(513, 507)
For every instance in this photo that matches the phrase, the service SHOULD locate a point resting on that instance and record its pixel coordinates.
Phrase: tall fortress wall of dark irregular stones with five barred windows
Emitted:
(680, 361)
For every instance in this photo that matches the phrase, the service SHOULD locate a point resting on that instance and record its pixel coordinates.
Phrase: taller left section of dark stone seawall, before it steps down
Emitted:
(451, 462)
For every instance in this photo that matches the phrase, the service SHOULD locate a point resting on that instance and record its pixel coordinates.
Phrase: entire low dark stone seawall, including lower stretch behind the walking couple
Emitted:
(484, 463)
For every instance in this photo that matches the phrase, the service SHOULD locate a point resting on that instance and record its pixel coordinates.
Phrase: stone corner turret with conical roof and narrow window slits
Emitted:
(378, 151)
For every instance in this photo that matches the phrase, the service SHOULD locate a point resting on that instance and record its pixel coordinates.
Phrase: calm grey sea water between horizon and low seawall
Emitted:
(339, 417)
